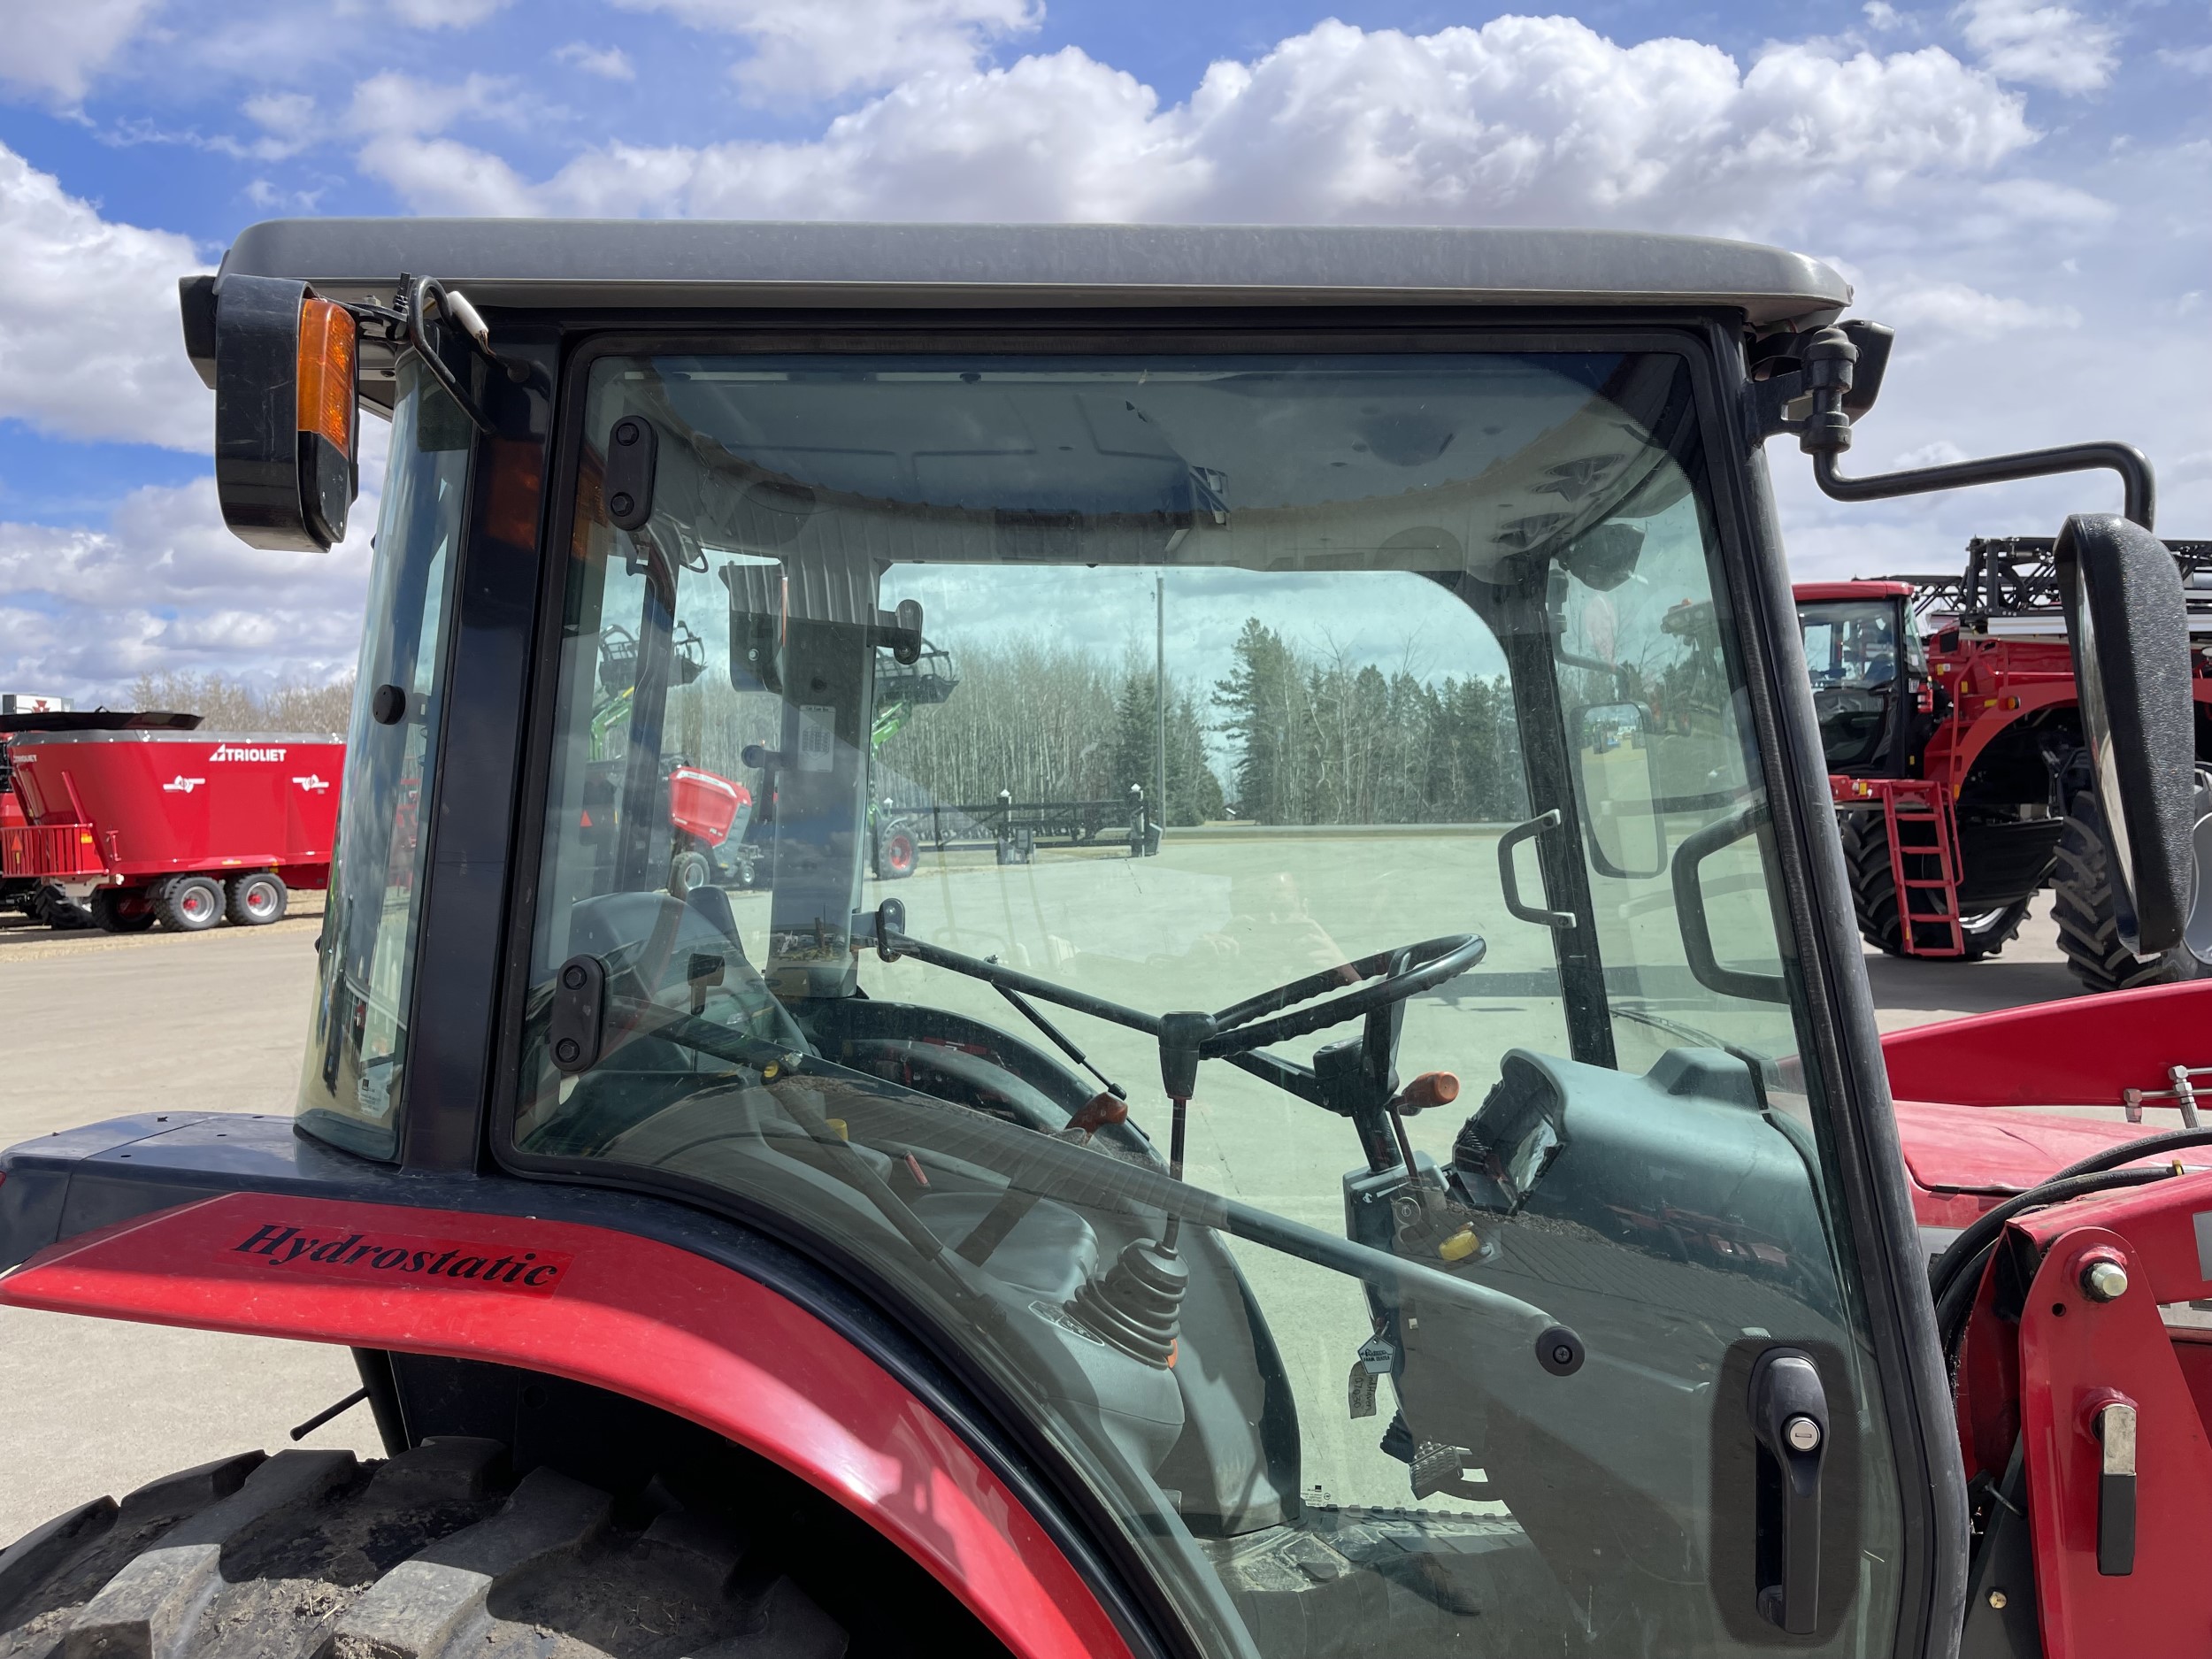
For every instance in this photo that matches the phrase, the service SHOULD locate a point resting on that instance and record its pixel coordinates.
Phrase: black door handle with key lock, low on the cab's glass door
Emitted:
(1791, 1426)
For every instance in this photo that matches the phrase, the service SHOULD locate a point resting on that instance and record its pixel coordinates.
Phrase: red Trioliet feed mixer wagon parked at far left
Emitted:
(174, 826)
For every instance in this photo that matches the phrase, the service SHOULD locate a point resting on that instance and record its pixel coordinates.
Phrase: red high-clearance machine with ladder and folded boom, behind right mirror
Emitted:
(1959, 762)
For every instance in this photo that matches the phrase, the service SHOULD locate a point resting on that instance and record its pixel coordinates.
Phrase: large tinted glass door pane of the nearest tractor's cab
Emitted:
(1233, 890)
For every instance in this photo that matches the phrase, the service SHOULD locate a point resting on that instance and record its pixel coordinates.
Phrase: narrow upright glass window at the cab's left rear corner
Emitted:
(357, 1043)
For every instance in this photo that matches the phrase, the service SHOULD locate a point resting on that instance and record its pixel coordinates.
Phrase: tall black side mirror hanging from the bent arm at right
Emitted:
(2129, 629)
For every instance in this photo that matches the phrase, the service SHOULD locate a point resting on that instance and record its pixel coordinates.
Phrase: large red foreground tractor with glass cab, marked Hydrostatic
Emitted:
(824, 1273)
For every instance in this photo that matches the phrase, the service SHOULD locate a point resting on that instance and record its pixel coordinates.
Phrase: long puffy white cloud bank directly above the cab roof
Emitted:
(1525, 121)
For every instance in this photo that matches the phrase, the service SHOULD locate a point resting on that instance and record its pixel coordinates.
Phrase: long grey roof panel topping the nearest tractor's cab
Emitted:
(700, 262)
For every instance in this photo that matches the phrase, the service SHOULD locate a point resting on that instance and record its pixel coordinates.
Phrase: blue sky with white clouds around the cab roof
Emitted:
(2018, 187)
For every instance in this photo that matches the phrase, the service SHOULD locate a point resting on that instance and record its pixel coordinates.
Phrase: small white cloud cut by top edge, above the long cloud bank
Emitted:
(815, 50)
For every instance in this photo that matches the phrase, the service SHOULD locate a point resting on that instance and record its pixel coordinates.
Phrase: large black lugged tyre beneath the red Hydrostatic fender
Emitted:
(430, 1556)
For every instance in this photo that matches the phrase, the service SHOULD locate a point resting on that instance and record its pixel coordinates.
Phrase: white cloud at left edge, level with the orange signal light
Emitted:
(90, 335)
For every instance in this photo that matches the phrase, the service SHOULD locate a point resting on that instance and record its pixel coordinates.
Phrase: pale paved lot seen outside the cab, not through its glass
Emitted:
(101, 1025)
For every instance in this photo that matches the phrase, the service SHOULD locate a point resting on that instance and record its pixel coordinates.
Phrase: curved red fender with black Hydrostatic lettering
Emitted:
(612, 1311)
